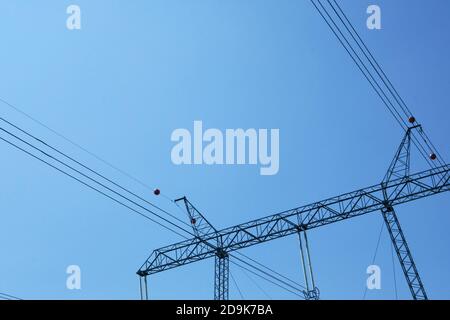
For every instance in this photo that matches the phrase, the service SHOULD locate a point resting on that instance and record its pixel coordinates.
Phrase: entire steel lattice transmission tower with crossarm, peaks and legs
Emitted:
(398, 186)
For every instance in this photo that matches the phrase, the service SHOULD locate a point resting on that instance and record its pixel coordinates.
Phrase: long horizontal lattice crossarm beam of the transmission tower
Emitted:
(345, 206)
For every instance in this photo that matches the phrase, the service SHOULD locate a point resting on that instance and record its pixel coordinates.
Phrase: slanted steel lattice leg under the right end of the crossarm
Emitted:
(404, 254)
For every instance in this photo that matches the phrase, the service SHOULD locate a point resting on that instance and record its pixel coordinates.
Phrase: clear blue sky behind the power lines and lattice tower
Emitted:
(140, 69)
